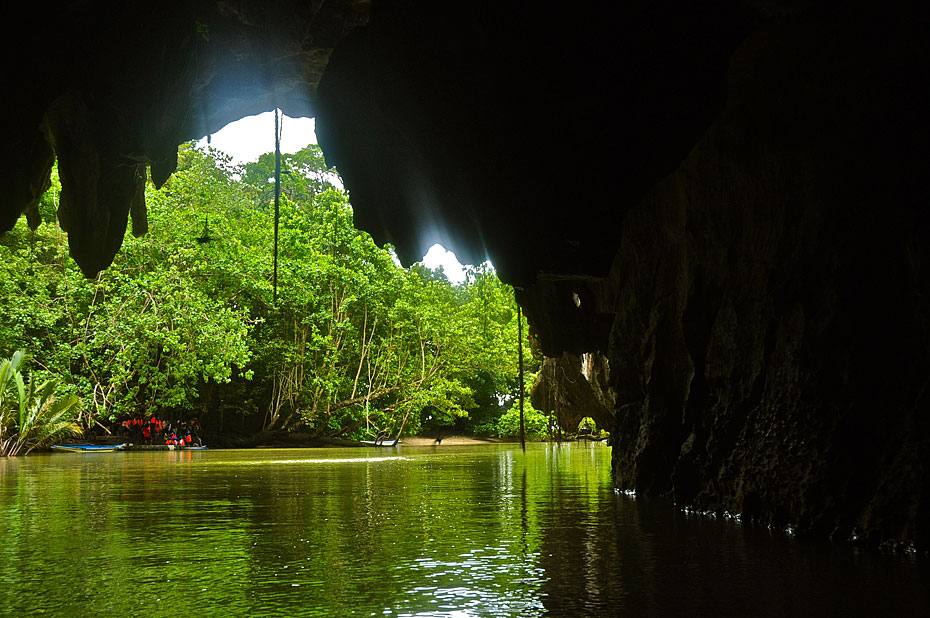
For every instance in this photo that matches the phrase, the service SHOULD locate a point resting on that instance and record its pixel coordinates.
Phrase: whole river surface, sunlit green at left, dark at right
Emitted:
(428, 531)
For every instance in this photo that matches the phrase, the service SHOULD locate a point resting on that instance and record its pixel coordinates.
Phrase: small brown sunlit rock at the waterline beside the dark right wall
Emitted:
(574, 387)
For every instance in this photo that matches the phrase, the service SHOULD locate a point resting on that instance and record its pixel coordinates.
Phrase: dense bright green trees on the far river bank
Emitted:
(186, 322)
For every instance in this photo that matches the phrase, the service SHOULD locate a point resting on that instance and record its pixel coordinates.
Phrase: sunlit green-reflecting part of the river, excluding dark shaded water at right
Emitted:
(451, 531)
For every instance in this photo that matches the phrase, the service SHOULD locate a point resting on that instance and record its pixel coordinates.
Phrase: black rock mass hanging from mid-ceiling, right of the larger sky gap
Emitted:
(505, 122)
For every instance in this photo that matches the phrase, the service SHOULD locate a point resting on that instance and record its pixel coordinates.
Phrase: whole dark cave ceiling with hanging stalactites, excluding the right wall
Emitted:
(505, 130)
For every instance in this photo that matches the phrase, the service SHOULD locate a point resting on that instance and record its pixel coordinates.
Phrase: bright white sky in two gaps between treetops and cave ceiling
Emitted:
(250, 137)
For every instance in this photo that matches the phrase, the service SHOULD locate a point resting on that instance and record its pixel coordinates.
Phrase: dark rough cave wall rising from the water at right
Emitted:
(770, 345)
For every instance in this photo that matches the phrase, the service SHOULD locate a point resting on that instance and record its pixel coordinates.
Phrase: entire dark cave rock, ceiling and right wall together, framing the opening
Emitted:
(727, 201)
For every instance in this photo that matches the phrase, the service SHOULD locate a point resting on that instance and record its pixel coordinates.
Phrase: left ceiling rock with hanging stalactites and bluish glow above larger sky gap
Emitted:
(112, 88)
